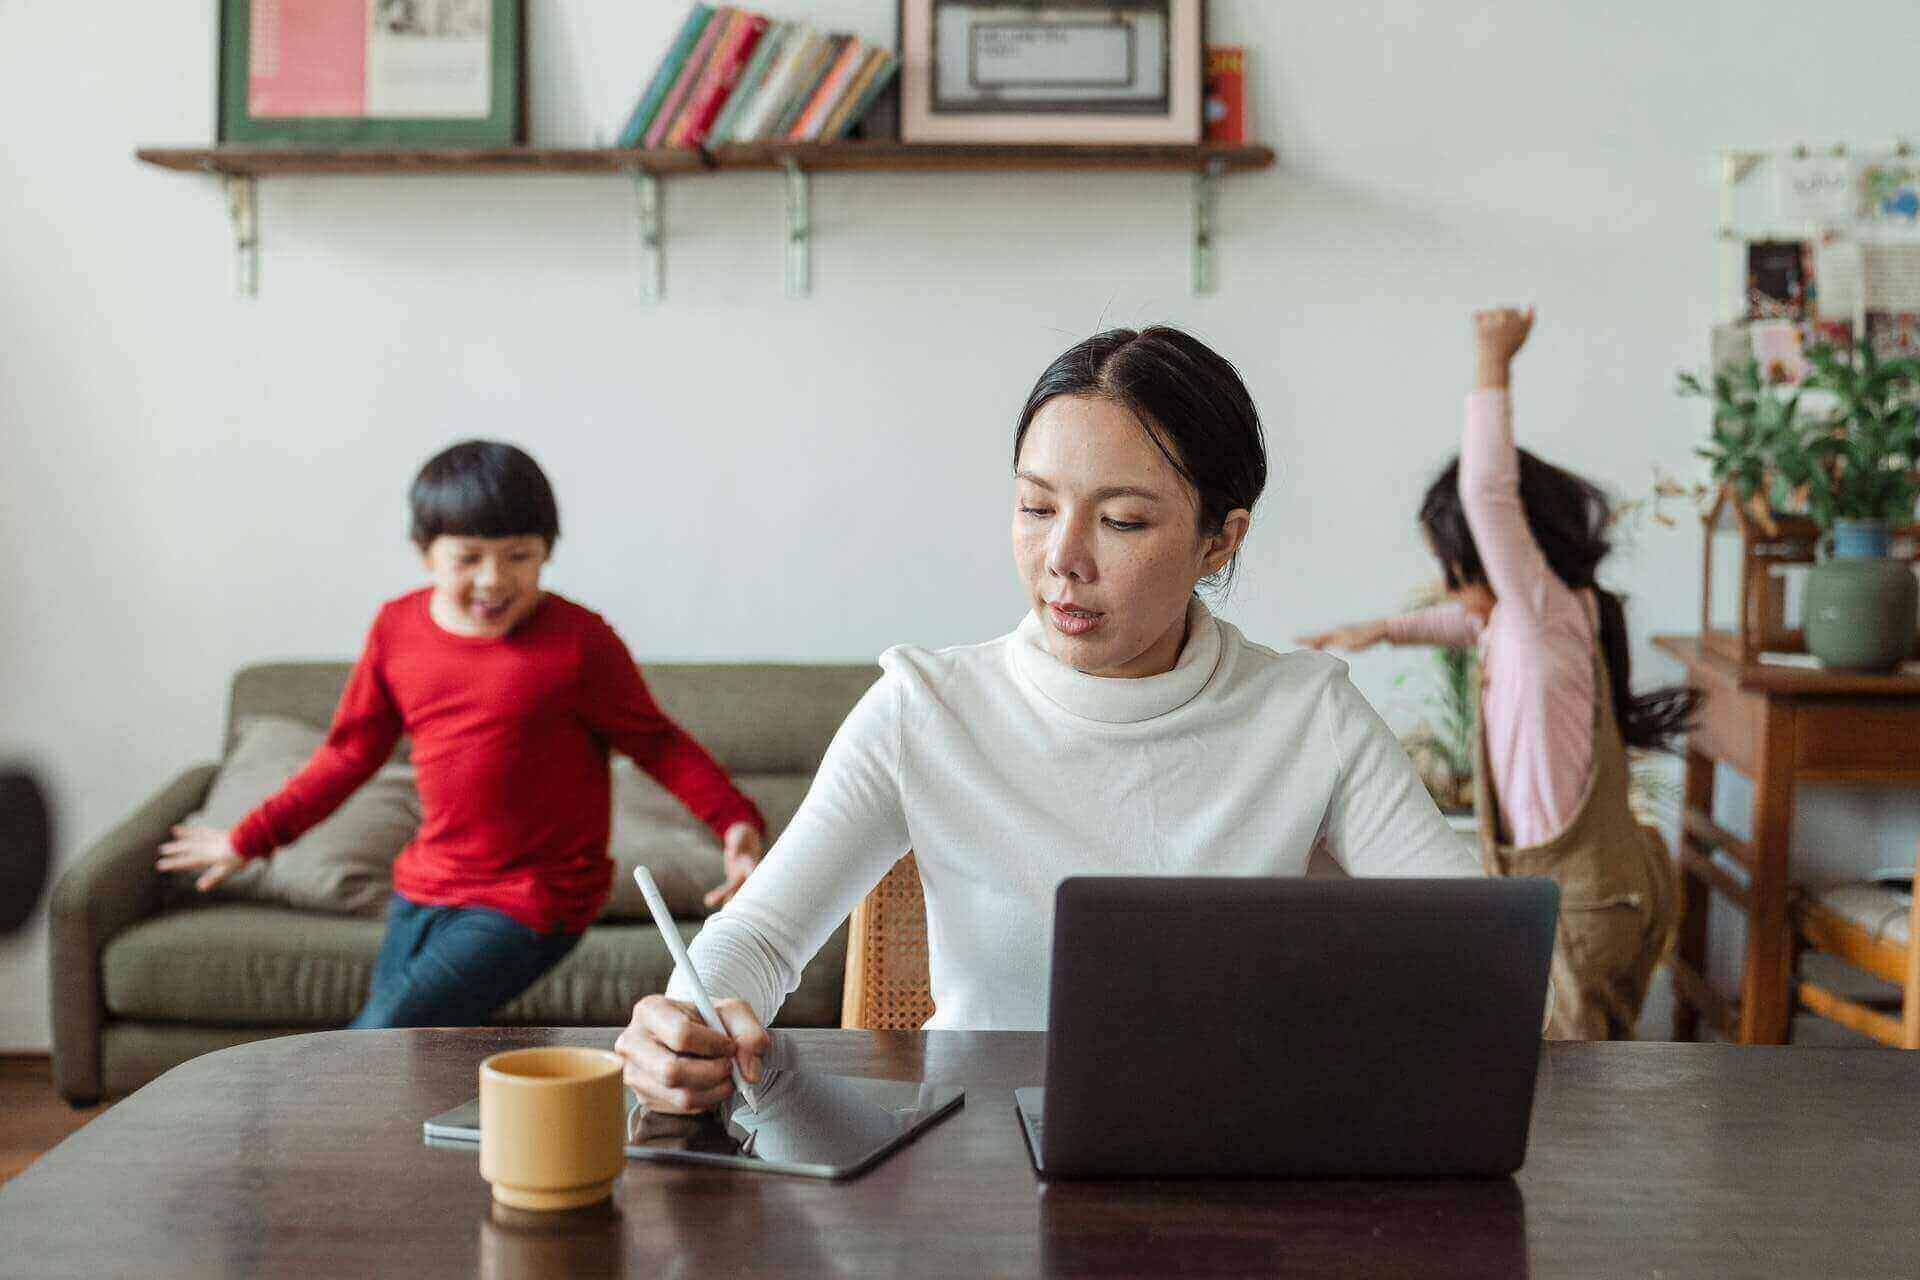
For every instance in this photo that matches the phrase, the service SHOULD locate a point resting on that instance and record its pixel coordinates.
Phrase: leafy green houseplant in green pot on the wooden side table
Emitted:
(1844, 448)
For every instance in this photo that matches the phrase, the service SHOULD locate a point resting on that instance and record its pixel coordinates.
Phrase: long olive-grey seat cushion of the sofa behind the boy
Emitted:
(262, 966)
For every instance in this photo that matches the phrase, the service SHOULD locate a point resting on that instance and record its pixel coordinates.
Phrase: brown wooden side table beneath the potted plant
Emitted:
(1779, 726)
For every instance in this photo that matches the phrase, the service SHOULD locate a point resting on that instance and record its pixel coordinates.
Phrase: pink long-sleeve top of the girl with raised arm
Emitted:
(1537, 648)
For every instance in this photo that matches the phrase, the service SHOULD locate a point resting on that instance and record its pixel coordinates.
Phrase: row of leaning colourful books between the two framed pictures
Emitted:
(734, 76)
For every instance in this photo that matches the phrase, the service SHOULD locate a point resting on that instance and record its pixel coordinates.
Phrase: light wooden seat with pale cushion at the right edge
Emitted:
(1871, 928)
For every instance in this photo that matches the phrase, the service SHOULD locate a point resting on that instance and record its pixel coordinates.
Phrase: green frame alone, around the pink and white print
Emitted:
(504, 126)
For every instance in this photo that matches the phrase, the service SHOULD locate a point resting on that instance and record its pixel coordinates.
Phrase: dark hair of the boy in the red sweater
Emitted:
(483, 488)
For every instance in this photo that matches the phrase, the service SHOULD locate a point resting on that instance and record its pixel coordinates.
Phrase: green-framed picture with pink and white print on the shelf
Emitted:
(373, 72)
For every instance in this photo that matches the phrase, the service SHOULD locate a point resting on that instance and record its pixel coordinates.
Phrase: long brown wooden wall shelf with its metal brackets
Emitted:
(243, 166)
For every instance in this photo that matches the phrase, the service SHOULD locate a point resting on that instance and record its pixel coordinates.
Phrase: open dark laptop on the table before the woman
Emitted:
(1291, 1028)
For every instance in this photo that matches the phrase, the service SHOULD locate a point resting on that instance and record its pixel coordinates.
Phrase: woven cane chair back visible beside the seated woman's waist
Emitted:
(888, 985)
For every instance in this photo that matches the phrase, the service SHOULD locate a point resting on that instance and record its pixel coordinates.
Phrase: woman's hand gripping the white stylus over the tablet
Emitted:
(679, 1064)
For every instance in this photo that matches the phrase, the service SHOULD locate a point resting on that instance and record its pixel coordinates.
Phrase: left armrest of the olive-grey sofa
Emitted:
(108, 889)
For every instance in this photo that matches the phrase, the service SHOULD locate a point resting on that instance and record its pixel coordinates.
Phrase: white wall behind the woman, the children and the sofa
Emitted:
(193, 481)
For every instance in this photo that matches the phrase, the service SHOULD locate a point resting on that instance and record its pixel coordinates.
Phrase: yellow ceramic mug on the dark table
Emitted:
(552, 1127)
